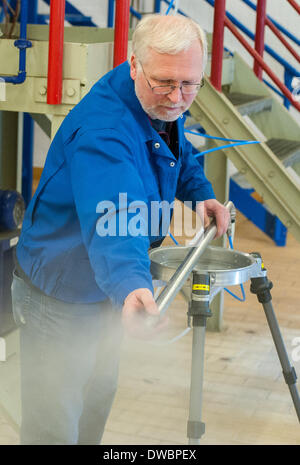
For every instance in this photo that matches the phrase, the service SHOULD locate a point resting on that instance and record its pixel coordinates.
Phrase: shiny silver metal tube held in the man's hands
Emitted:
(182, 273)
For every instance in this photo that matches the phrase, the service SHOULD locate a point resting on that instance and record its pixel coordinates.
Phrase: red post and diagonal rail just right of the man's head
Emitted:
(217, 57)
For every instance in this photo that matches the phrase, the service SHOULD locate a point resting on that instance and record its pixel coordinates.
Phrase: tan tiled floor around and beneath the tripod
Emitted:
(246, 400)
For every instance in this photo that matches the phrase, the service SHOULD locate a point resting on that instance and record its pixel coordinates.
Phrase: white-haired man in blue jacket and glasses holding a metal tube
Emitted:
(75, 282)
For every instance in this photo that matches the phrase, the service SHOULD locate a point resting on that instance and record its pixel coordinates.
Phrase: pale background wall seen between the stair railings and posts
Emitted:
(203, 13)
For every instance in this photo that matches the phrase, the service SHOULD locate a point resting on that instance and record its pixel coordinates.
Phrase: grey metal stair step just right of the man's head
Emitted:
(248, 104)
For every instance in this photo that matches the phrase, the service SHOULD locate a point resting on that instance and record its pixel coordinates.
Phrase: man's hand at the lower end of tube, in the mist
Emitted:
(140, 315)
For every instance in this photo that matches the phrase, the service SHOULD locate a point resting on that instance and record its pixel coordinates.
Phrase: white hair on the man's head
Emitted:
(167, 34)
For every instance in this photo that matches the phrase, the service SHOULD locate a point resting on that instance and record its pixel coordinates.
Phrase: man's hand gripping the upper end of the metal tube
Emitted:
(213, 208)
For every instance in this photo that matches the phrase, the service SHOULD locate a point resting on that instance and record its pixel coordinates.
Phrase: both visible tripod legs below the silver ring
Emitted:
(199, 312)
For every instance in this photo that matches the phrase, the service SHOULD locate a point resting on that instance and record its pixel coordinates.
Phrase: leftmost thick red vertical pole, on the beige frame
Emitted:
(55, 57)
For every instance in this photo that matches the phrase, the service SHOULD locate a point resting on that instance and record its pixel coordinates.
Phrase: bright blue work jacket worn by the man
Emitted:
(104, 147)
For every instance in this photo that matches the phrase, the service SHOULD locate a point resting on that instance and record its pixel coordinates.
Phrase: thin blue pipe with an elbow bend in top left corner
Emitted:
(22, 44)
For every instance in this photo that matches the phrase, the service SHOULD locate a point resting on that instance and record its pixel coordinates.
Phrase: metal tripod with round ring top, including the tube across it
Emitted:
(239, 268)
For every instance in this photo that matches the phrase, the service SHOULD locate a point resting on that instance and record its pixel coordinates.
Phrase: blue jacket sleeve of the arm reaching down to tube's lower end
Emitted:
(102, 166)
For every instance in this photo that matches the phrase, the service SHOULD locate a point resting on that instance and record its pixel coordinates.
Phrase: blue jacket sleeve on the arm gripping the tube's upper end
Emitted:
(192, 184)
